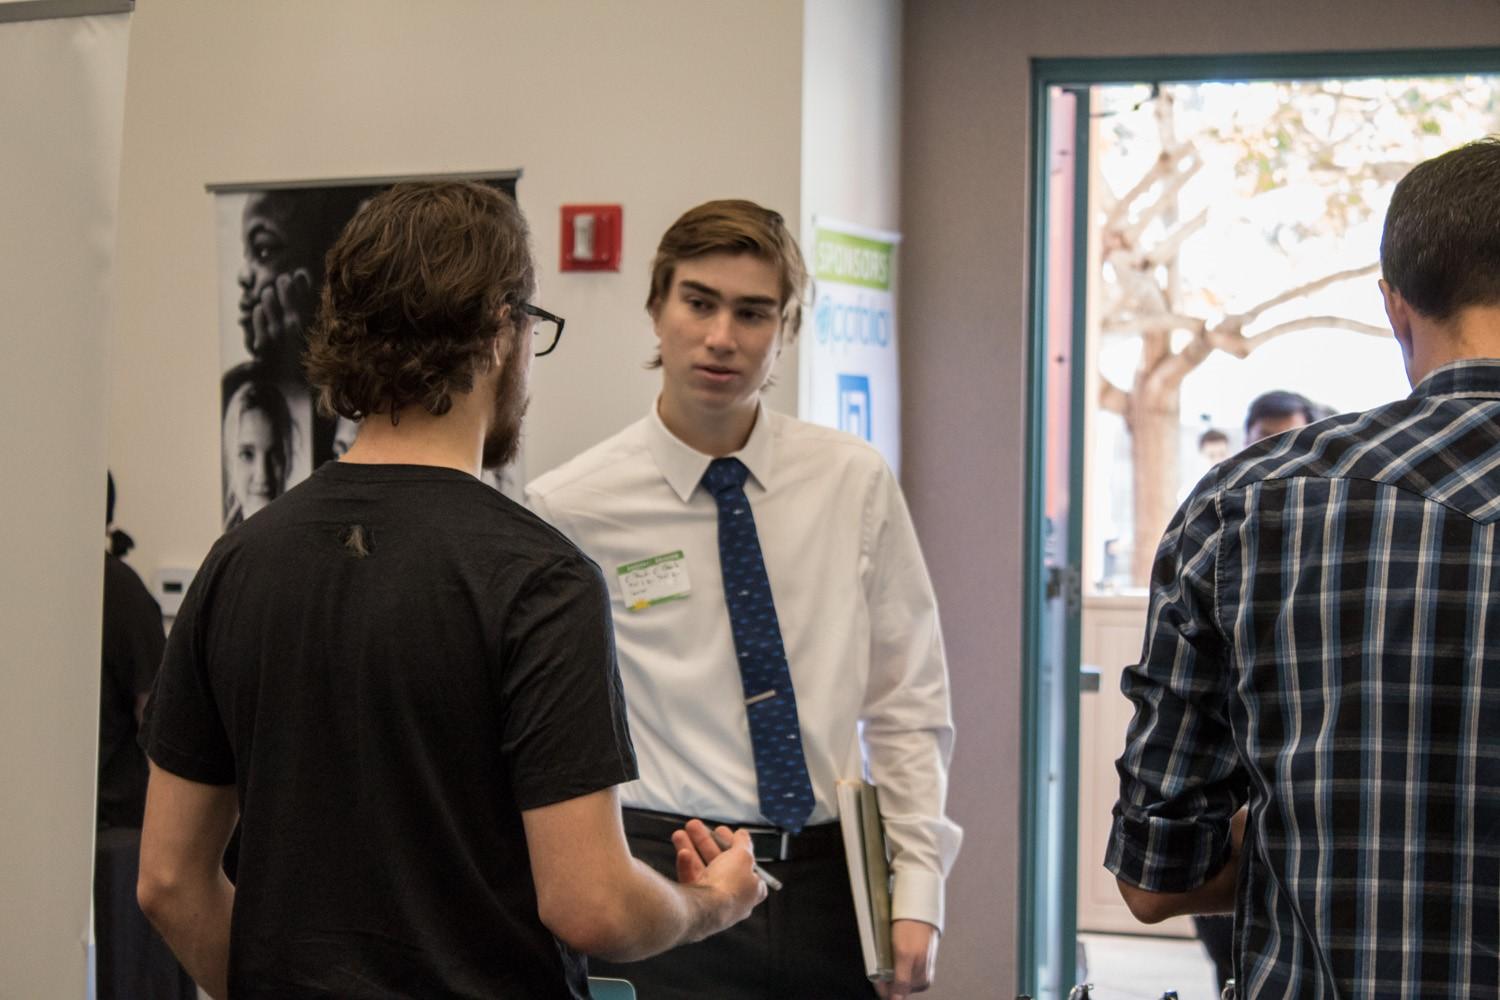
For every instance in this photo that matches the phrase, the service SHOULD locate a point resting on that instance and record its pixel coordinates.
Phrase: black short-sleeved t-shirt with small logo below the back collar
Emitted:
(386, 719)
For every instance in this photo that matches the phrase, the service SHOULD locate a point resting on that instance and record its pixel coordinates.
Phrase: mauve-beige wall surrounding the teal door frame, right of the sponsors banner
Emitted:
(965, 140)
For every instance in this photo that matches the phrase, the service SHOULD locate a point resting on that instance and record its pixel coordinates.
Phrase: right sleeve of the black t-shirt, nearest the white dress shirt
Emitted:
(565, 728)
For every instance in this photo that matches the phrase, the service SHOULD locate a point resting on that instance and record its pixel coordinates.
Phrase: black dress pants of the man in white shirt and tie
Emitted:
(802, 944)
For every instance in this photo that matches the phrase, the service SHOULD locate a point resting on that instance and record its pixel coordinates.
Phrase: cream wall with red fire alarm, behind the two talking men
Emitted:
(653, 104)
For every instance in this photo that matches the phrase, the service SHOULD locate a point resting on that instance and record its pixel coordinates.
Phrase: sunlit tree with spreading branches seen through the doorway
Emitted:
(1234, 215)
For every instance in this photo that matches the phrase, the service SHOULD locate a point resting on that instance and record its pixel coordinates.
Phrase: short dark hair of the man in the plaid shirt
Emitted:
(1441, 247)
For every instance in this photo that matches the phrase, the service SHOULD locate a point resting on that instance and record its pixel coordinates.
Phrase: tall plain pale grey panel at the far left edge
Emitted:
(61, 115)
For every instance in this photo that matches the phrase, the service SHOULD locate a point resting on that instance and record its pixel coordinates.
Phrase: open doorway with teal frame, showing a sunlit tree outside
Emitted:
(1207, 232)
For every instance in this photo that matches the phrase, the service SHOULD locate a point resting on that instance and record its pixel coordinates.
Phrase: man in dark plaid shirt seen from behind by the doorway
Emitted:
(1324, 647)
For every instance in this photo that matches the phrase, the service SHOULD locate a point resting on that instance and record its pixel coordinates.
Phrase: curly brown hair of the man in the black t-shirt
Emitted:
(413, 295)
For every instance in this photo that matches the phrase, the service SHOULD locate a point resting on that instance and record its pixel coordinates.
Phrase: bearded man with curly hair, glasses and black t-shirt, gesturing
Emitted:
(403, 684)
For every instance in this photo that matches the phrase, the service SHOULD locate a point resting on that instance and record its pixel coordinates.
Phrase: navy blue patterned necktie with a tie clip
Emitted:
(787, 794)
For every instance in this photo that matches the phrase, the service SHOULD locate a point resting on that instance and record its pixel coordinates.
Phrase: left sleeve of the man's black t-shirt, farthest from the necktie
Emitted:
(184, 729)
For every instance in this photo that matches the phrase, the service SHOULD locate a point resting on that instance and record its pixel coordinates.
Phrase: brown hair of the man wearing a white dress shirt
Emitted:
(733, 227)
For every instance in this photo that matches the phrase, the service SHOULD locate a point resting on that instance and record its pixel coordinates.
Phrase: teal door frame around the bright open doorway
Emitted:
(1037, 896)
